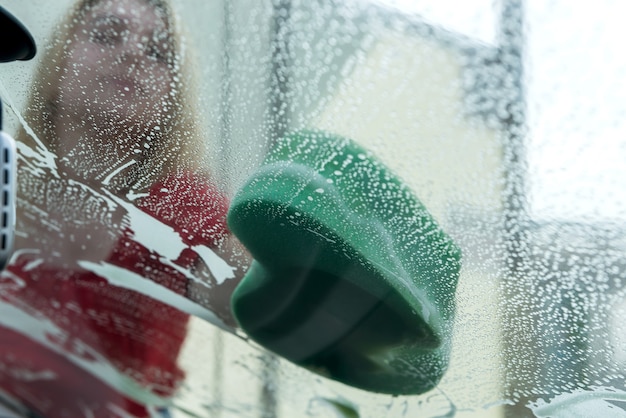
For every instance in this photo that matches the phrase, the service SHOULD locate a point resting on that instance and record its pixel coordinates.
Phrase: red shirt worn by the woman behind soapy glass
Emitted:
(137, 335)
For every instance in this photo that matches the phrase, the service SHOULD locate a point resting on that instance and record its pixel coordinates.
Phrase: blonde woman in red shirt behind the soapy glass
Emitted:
(113, 122)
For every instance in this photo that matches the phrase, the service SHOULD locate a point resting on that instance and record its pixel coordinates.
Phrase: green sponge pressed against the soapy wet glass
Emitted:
(352, 277)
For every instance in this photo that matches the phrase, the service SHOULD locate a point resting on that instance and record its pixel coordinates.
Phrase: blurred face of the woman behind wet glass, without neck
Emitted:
(119, 67)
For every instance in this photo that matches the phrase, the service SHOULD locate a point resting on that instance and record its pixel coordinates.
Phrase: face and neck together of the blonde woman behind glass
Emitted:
(116, 91)
